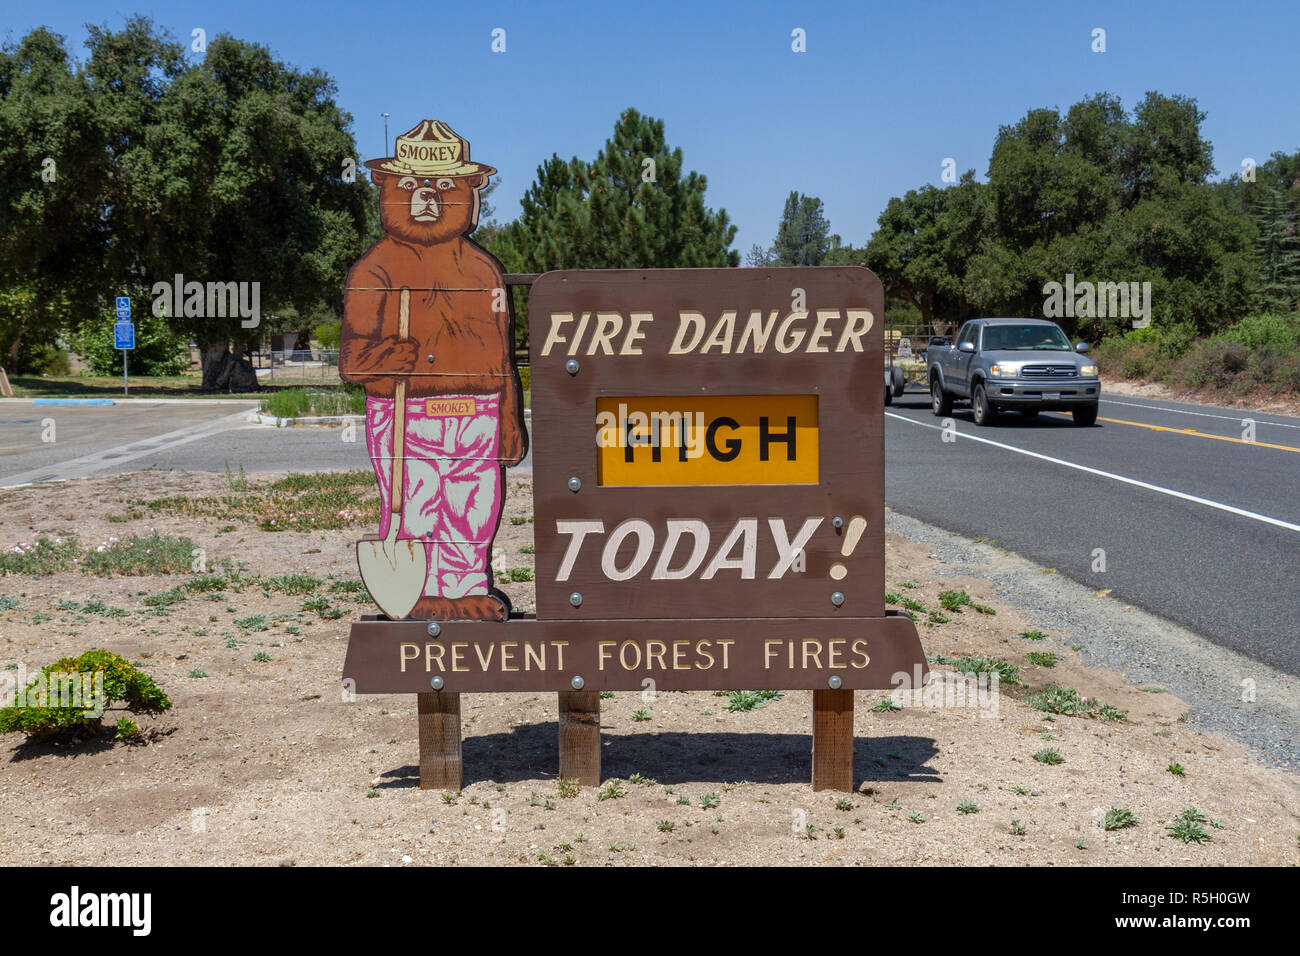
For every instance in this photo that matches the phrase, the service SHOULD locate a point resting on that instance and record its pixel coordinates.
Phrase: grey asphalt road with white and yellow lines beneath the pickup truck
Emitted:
(1197, 524)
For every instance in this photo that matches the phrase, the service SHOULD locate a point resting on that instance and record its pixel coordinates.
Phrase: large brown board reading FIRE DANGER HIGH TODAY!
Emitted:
(708, 444)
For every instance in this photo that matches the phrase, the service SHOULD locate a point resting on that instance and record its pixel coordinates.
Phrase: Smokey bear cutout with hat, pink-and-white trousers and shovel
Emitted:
(428, 332)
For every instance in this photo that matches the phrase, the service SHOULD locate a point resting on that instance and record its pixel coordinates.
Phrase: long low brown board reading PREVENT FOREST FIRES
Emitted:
(714, 655)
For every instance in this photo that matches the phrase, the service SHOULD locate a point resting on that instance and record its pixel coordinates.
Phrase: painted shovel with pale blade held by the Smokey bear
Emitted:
(395, 572)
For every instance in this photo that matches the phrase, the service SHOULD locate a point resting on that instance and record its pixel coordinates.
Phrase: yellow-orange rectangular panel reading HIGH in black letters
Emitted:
(717, 440)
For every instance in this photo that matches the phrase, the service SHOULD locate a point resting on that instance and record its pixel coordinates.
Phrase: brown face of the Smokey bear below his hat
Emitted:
(427, 211)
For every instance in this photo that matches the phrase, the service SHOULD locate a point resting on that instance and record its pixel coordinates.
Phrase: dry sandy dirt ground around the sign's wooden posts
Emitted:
(265, 763)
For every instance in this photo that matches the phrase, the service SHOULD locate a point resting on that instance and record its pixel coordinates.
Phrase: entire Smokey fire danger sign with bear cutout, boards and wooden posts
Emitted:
(709, 479)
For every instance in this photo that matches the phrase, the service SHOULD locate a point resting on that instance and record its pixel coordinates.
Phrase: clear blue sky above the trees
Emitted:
(882, 97)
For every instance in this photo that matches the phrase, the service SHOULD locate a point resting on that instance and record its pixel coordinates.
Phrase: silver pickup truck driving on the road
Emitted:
(1021, 365)
